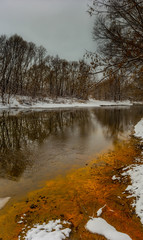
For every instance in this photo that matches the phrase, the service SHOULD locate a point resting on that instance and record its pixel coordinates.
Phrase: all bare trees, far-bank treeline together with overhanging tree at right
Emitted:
(112, 72)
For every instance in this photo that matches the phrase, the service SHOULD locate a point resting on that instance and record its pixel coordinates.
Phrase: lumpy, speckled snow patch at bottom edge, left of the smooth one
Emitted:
(53, 230)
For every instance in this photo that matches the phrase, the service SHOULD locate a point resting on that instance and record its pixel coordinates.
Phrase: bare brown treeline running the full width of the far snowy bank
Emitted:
(27, 70)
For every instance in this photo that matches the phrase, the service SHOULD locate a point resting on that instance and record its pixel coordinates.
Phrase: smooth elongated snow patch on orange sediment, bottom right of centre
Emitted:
(100, 226)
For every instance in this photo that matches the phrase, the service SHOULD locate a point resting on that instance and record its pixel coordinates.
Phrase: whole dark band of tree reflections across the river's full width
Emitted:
(20, 134)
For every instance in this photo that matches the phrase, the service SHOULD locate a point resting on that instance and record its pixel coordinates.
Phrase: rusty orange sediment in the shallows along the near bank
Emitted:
(79, 195)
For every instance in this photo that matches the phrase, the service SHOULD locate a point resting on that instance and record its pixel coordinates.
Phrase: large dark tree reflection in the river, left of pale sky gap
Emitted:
(21, 134)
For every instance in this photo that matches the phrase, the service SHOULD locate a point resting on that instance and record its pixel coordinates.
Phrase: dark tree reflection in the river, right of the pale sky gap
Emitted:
(117, 120)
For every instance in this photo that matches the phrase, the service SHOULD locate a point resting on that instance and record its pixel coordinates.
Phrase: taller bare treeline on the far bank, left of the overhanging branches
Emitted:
(26, 69)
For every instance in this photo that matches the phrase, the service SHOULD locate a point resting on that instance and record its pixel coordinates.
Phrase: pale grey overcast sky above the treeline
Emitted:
(63, 27)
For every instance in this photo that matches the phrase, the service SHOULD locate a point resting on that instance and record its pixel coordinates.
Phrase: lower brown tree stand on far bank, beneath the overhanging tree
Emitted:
(118, 87)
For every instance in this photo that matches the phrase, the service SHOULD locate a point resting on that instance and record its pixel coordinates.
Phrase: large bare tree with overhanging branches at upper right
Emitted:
(118, 30)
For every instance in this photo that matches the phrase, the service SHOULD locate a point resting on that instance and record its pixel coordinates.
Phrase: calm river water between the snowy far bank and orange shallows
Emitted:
(39, 145)
